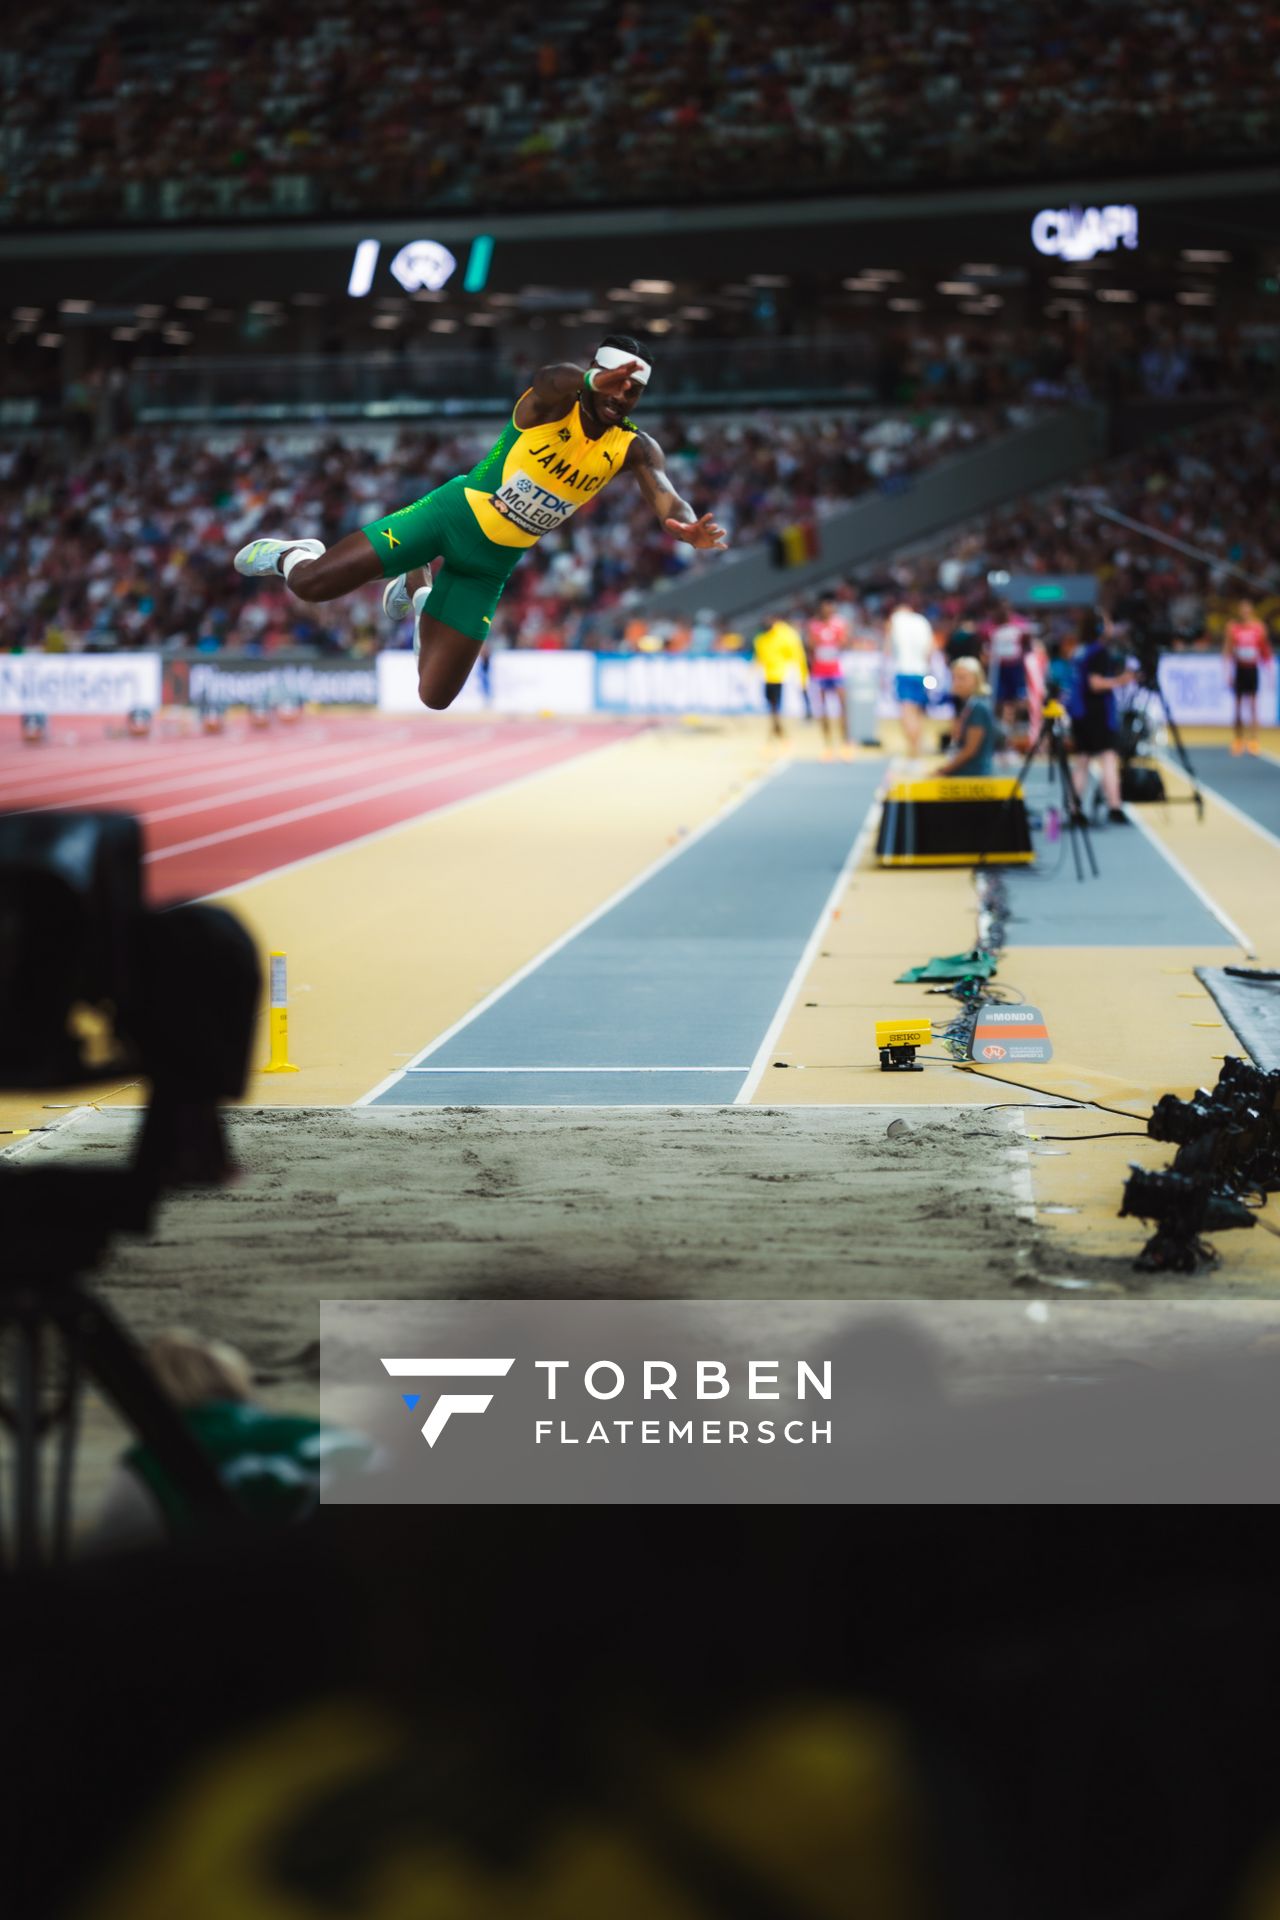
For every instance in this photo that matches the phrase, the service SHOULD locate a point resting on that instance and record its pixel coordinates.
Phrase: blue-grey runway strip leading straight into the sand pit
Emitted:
(669, 996)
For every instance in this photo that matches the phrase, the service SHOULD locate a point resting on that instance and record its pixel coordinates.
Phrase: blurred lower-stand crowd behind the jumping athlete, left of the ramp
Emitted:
(131, 544)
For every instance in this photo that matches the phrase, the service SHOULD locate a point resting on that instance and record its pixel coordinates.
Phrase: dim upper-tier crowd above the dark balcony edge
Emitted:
(135, 112)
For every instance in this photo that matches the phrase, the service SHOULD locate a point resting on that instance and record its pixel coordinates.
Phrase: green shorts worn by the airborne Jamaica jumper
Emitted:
(469, 587)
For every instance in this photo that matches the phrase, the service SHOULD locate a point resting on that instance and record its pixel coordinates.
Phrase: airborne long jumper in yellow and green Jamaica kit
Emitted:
(567, 439)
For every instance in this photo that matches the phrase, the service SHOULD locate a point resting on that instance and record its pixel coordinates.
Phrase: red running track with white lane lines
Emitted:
(224, 809)
